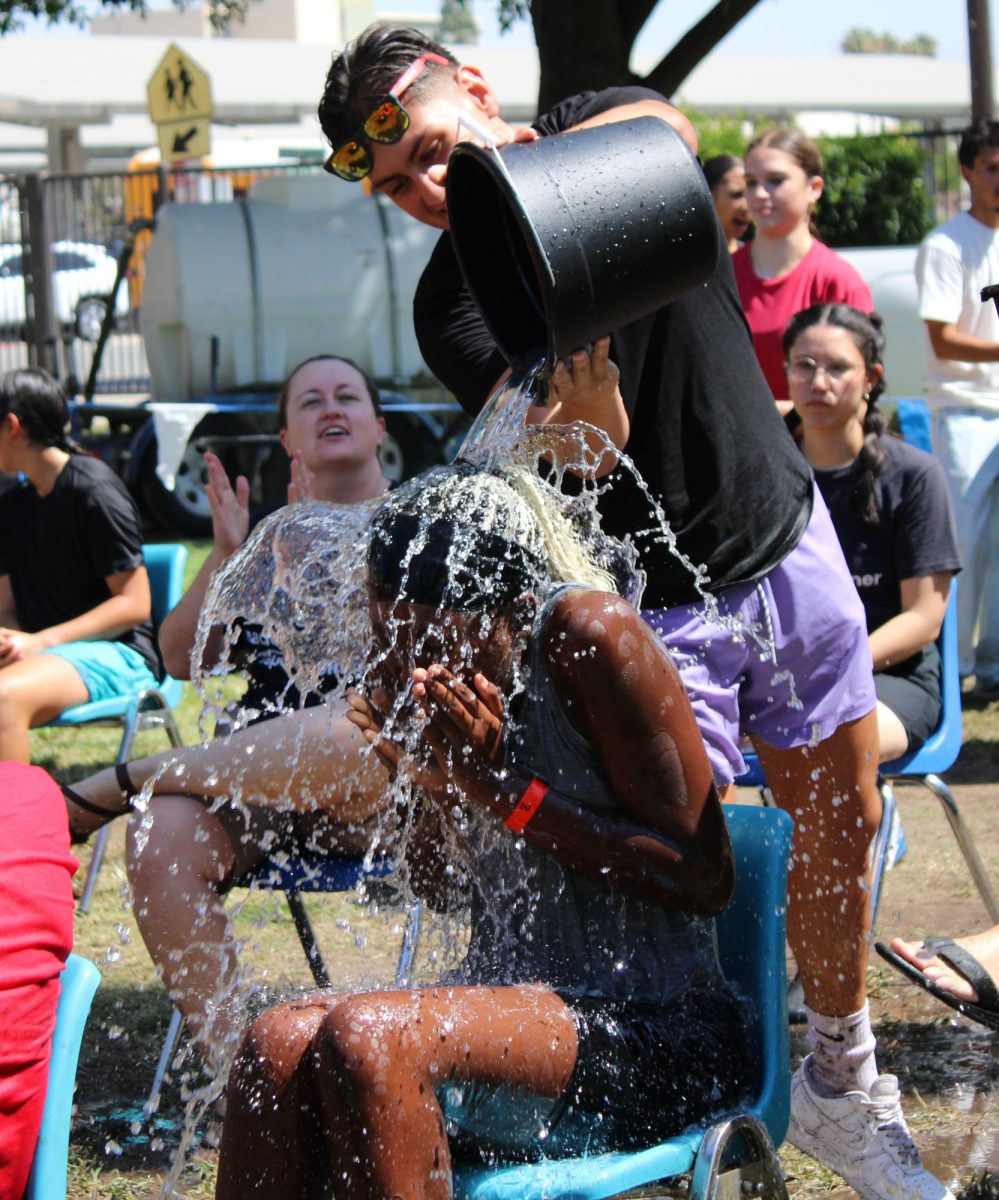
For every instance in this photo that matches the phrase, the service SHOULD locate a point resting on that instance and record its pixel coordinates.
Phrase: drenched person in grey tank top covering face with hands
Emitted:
(548, 759)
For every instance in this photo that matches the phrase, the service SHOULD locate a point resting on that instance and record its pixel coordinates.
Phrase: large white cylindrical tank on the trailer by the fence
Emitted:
(238, 293)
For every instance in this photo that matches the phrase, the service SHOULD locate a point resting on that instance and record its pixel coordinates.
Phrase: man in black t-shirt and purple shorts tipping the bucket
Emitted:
(683, 394)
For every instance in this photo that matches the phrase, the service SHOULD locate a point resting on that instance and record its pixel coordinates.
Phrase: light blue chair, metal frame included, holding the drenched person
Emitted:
(751, 945)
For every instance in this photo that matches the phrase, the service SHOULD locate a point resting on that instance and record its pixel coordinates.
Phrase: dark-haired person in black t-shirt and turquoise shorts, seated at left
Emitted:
(75, 604)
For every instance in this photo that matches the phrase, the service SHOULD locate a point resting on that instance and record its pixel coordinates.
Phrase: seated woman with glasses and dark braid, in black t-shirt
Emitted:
(889, 505)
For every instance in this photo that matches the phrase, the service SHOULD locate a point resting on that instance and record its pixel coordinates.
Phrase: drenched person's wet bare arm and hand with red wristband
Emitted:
(668, 843)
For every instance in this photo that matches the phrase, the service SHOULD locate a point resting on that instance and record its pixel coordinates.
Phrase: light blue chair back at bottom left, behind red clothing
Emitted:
(79, 983)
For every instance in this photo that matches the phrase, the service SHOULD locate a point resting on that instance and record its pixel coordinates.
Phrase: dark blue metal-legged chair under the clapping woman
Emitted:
(295, 877)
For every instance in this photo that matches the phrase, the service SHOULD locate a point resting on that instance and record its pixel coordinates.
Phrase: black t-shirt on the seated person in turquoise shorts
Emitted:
(61, 549)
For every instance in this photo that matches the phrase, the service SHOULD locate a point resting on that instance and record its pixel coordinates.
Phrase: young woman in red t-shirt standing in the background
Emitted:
(786, 268)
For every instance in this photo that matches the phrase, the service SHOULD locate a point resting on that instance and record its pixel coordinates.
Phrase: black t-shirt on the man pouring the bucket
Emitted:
(705, 435)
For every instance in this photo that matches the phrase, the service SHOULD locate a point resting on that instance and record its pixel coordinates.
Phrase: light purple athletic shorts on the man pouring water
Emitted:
(800, 671)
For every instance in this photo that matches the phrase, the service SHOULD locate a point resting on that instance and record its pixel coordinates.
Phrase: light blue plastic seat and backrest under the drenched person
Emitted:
(751, 944)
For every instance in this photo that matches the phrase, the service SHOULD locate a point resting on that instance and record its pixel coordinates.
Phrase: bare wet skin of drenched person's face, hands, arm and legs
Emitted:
(357, 1075)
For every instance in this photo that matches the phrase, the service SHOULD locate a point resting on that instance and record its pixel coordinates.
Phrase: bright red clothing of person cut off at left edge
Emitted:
(37, 935)
